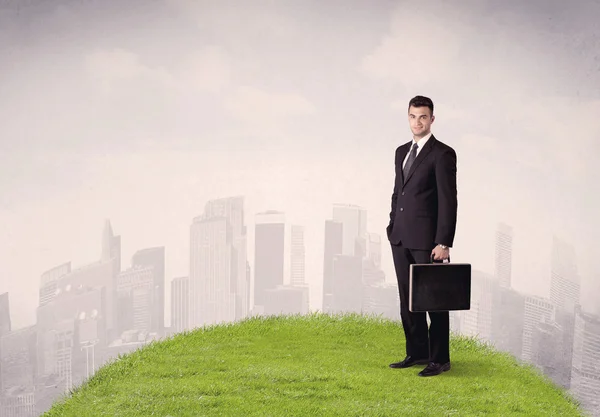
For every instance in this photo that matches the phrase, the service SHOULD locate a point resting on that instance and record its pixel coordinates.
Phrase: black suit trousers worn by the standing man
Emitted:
(421, 342)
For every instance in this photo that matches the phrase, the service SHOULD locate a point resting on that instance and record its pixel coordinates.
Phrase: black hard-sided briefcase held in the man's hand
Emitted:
(439, 286)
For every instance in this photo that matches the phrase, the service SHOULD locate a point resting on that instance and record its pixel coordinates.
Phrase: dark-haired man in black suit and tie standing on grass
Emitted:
(422, 226)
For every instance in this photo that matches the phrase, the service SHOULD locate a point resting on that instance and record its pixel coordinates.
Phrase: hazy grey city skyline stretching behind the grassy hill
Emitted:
(85, 293)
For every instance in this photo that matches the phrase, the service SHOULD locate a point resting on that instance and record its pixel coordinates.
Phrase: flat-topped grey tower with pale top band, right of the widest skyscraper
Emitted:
(269, 239)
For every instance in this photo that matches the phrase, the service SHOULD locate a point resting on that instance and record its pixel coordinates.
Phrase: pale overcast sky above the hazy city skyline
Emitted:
(140, 112)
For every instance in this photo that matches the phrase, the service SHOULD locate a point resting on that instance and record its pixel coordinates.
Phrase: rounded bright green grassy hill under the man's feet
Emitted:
(315, 365)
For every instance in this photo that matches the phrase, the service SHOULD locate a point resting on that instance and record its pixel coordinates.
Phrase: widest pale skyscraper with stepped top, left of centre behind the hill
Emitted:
(218, 263)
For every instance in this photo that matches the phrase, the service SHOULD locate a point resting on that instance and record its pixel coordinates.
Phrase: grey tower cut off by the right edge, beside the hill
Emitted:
(585, 377)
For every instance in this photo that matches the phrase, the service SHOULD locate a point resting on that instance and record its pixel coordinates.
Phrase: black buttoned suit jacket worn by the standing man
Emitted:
(424, 204)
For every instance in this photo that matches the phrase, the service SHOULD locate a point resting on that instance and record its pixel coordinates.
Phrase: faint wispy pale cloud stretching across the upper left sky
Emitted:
(207, 71)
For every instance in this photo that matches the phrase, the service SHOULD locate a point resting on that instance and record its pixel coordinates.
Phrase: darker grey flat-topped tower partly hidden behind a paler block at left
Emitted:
(155, 259)
